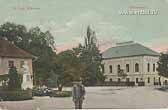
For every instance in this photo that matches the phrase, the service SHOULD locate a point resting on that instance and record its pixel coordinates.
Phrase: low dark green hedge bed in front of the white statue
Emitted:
(15, 95)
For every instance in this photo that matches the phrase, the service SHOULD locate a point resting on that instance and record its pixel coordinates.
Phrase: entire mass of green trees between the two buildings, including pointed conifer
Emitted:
(50, 68)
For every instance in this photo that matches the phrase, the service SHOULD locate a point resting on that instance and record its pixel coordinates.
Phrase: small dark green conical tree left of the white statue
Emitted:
(14, 79)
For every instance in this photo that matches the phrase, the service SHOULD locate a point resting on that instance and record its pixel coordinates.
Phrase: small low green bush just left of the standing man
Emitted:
(61, 94)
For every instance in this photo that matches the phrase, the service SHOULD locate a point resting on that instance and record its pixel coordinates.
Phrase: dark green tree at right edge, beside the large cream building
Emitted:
(163, 65)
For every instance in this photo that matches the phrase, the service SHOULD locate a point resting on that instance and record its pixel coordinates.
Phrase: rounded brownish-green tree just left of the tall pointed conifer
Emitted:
(70, 68)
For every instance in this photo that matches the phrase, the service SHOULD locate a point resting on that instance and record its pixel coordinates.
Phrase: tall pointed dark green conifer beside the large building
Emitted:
(91, 59)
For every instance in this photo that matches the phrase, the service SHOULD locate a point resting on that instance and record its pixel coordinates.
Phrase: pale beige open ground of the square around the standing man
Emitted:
(98, 97)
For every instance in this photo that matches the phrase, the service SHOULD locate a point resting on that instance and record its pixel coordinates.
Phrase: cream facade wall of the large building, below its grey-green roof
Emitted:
(143, 73)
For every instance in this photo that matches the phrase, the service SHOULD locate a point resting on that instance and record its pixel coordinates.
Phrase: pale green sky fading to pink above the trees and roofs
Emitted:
(67, 20)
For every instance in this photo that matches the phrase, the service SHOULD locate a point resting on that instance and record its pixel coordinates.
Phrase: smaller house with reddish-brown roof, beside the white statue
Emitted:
(12, 56)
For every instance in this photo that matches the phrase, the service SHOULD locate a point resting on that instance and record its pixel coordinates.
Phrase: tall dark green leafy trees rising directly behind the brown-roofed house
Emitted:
(36, 42)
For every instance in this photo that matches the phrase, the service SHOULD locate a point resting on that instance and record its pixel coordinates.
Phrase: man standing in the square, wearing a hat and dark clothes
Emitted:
(78, 93)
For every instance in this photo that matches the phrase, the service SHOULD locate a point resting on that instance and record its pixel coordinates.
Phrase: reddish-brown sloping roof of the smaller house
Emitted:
(8, 49)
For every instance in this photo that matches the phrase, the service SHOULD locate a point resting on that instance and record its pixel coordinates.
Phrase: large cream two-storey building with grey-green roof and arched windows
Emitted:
(131, 62)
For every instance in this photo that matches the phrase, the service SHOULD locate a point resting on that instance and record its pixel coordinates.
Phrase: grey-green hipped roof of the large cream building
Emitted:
(129, 50)
